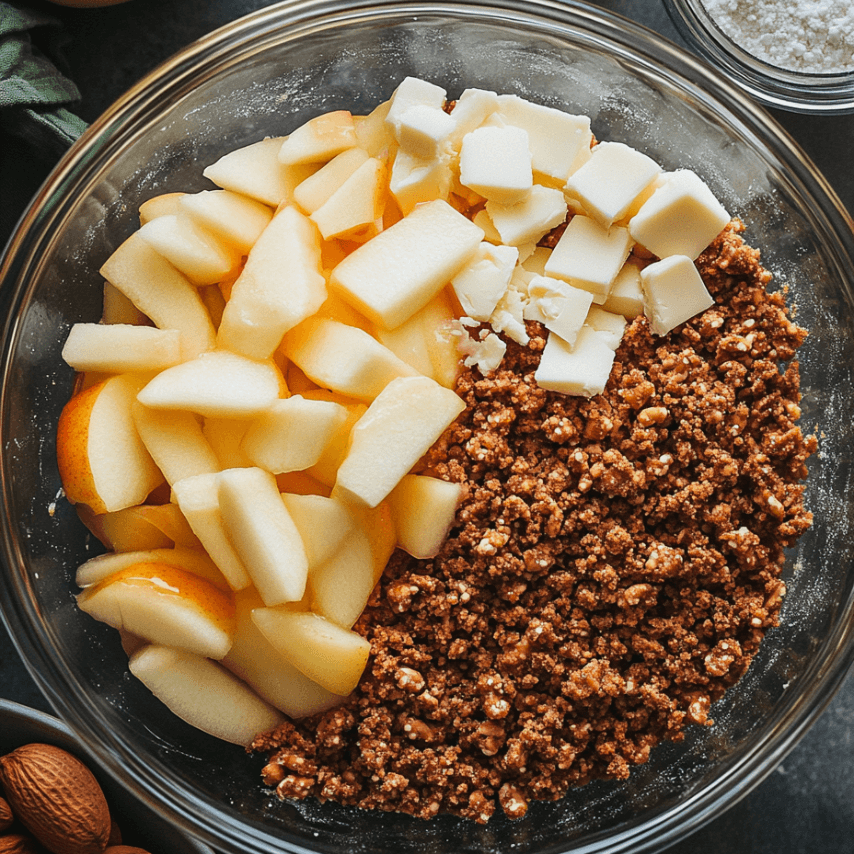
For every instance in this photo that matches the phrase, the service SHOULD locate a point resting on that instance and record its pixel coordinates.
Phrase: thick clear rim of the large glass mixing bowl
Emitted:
(135, 110)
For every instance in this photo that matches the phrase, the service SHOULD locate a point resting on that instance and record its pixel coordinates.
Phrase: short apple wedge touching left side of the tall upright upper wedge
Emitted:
(198, 253)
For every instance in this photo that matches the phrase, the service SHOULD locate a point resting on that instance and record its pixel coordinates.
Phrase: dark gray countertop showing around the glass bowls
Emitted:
(807, 804)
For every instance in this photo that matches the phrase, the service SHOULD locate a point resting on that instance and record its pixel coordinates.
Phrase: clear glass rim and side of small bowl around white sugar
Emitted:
(799, 92)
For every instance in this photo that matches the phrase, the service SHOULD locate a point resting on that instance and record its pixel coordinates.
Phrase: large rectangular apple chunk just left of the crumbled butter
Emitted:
(401, 269)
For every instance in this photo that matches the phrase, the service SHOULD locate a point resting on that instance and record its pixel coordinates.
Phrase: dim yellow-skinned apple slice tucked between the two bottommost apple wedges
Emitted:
(254, 660)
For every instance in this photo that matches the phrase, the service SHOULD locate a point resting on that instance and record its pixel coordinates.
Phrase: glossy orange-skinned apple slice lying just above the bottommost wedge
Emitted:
(164, 604)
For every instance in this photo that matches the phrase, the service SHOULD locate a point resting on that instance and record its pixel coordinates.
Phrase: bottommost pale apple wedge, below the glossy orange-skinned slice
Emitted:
(203, 693)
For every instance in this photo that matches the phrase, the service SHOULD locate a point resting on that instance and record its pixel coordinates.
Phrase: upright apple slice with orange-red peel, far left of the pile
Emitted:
(102, 461)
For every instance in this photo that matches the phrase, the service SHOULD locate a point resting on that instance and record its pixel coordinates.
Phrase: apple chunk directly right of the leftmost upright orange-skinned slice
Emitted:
(175, 441)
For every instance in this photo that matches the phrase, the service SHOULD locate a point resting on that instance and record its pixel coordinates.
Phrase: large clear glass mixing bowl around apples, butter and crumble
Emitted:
(265, 75)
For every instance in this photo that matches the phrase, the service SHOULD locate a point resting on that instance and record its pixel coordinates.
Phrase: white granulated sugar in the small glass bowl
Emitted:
(811, 36)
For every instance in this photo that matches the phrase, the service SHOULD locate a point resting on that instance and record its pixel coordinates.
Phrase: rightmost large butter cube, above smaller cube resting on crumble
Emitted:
(682, 217)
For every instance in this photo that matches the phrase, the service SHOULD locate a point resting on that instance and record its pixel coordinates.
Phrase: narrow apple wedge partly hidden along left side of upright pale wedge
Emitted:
(198, 499)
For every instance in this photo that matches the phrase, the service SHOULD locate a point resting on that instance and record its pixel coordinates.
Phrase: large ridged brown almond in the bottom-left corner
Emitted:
(57, 798)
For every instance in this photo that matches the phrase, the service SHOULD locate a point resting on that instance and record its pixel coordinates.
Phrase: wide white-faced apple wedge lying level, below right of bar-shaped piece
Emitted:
(218, 384)
